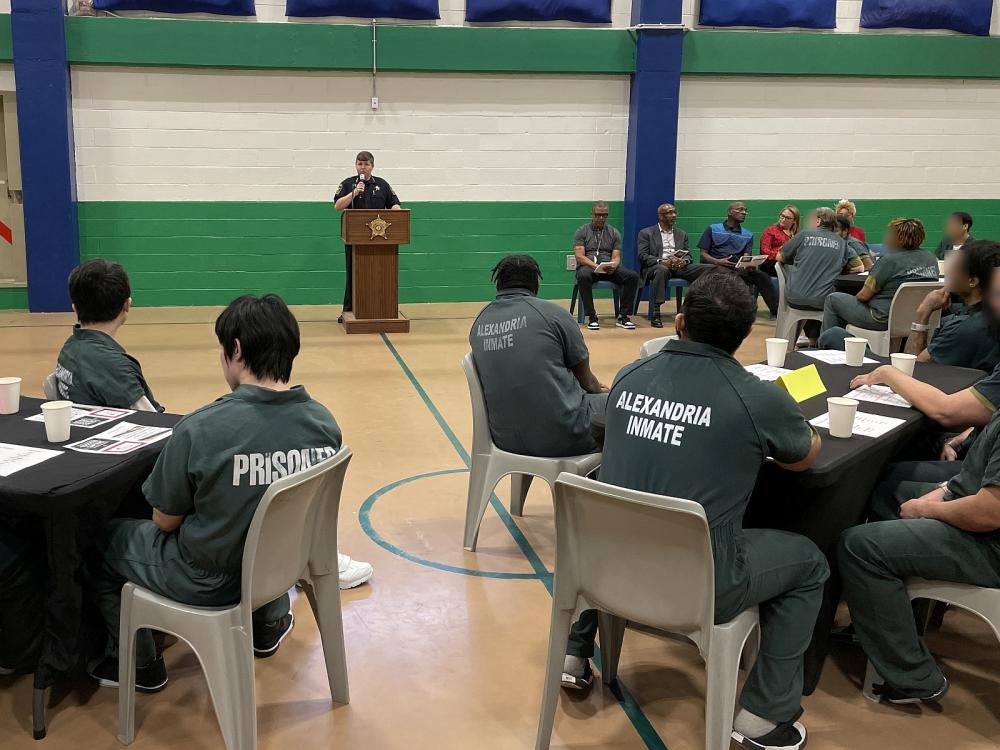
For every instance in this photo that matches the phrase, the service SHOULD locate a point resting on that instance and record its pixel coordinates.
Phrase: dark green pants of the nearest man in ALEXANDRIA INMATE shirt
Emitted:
(783, 574)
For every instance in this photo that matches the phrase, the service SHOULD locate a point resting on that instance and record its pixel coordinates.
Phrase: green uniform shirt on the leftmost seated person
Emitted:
(95, 369)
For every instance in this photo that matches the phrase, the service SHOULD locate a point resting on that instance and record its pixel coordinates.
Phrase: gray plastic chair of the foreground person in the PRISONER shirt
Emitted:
(293, 537)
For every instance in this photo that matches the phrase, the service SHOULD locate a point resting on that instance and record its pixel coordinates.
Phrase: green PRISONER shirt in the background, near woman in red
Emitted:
(816, 257)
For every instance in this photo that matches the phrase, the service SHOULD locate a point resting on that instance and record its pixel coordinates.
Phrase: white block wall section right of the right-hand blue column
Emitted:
(774, 138)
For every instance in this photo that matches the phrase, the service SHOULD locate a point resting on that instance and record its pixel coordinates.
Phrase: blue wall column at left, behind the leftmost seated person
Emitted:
(48, 174)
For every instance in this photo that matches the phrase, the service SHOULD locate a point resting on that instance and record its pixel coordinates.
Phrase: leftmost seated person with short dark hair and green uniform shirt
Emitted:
(93, 368)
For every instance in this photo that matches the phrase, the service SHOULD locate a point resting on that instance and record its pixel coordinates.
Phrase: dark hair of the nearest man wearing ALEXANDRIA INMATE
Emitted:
(719, 310)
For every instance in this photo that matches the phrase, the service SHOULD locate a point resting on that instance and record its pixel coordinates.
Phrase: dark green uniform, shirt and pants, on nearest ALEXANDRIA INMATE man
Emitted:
(690, 422)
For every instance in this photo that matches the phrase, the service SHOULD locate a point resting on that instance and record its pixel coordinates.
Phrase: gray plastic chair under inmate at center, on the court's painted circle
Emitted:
(490, 464)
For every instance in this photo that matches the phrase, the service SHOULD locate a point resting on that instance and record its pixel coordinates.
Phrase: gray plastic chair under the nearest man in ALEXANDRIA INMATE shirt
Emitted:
(645, 558)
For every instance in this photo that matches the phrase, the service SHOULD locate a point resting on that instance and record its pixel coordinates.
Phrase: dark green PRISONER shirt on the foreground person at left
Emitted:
(221, 459)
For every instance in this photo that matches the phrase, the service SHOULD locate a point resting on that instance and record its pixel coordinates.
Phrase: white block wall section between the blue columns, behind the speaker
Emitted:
(171, 134)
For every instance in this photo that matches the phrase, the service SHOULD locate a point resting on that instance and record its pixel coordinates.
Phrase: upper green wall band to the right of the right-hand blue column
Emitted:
(791, 53)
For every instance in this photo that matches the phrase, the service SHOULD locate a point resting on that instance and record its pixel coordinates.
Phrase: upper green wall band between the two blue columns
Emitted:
(241, 44)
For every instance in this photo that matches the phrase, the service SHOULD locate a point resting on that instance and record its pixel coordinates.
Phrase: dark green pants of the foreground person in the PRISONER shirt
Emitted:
(139, 552)
